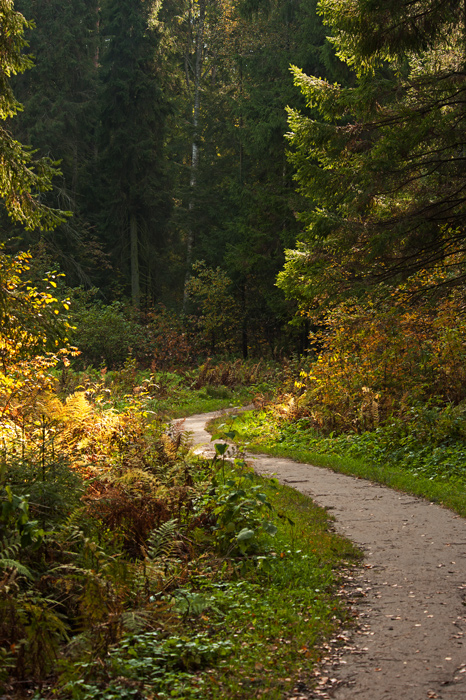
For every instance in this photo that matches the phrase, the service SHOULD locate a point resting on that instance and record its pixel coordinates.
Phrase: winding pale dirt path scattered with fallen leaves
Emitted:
(411, 591)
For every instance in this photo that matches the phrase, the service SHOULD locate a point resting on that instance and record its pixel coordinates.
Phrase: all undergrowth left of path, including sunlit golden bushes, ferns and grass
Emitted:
(130, 568)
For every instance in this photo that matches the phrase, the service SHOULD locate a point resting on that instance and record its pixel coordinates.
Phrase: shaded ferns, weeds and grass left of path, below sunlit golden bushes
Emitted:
(164, 580)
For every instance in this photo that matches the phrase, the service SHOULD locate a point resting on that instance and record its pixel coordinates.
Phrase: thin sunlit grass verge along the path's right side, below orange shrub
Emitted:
(259, 434)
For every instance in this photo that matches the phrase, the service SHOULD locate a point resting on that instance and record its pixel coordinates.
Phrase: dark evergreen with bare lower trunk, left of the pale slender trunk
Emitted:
(133, 200)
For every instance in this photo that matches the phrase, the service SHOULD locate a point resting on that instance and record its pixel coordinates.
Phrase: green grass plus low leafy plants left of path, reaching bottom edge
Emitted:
(249, 626)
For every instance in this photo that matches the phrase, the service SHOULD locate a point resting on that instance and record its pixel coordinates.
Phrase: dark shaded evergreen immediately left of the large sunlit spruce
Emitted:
(283, 32)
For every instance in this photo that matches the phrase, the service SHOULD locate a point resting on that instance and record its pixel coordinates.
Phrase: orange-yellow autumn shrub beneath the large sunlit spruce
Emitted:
(375, 361)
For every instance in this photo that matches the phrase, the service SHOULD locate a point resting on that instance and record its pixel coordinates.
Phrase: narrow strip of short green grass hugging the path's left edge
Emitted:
(282, 616)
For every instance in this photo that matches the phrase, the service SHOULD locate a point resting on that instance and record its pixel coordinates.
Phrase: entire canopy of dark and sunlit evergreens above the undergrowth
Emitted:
(169, 119)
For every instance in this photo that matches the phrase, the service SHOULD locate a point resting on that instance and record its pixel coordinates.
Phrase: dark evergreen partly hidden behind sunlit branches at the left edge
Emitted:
(58, 116)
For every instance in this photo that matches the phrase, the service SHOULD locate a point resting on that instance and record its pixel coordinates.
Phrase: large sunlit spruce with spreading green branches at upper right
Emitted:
(383, 164)
